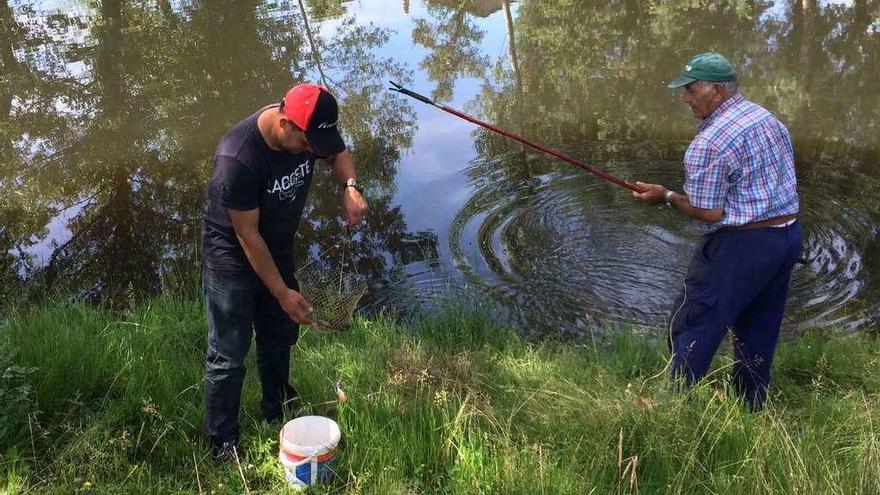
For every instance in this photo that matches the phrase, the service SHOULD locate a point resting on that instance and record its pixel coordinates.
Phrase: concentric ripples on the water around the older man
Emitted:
(562, 251)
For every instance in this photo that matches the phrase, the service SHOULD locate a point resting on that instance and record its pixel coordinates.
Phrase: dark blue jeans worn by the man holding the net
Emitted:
(238, 305)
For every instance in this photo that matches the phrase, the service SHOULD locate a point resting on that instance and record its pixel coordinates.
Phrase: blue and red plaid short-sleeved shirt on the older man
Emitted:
(741, 160)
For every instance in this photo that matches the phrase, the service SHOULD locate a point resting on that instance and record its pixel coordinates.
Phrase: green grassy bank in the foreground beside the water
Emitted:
(102, 403)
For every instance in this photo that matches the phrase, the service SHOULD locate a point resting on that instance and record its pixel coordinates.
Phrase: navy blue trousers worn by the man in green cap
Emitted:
(738, 280)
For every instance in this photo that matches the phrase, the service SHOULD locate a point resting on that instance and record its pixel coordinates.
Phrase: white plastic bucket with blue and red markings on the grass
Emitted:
(307, 447)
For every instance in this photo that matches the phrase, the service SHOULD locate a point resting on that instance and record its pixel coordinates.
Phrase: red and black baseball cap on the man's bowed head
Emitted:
(314, 109)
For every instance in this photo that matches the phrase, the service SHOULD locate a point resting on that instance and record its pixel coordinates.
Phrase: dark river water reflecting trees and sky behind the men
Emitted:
(110, 111)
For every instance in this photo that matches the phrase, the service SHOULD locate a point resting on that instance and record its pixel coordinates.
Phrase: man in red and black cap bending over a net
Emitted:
(262, 171)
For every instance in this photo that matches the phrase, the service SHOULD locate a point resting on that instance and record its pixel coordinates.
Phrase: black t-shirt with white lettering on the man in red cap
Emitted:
(248, 174)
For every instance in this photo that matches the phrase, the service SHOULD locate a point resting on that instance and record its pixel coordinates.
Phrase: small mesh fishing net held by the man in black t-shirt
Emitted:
(331, 283)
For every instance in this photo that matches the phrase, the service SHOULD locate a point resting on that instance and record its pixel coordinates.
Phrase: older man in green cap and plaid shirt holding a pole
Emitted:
(740, 180)
